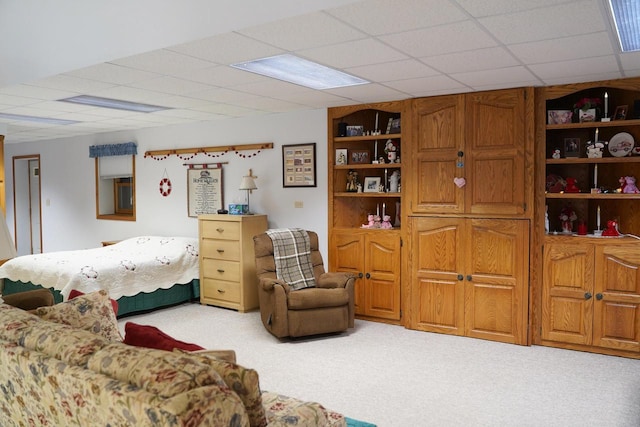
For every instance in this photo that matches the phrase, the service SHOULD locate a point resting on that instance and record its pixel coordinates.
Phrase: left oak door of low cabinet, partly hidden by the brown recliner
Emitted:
(347, 248)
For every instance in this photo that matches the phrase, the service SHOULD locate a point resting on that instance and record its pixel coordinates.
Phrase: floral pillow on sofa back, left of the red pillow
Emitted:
(92, 312)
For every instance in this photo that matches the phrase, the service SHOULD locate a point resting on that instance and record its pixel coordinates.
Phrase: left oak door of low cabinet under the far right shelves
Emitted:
(568, 277)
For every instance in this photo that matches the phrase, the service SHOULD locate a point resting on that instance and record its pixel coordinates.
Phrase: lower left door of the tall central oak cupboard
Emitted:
(437, 294)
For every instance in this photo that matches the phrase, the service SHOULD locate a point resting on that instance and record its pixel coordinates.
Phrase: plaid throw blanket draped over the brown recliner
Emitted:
(292, 255)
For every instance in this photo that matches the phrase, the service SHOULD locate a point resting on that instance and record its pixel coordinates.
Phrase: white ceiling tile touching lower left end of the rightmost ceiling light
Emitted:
(575, 47)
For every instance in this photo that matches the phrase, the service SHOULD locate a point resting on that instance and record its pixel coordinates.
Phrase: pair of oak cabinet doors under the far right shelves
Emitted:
(591, 295)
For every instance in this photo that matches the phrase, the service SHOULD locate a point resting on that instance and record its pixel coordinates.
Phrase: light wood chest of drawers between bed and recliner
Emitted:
(227, 262)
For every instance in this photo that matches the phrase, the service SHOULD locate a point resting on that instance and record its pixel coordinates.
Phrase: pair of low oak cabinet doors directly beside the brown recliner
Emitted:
(374, 257)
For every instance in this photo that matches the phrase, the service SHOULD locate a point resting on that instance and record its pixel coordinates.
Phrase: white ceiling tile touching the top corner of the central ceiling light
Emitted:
(304, 32)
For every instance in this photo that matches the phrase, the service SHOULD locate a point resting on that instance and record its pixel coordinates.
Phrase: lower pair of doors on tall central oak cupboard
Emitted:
(469, 276)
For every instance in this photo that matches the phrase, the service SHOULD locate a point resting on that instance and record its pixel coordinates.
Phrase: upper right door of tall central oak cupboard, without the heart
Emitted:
(495, 152)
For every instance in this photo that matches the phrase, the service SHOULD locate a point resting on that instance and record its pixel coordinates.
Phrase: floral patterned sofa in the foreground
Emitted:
(67, 365)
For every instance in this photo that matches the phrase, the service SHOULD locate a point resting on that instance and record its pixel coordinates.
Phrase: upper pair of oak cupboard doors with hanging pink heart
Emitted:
(479, 137)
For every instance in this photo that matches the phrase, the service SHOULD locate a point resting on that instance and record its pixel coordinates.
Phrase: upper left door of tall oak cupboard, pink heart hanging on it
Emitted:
(437, 139)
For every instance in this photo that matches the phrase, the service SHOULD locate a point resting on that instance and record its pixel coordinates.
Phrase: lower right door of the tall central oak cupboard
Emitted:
(496, 291)
